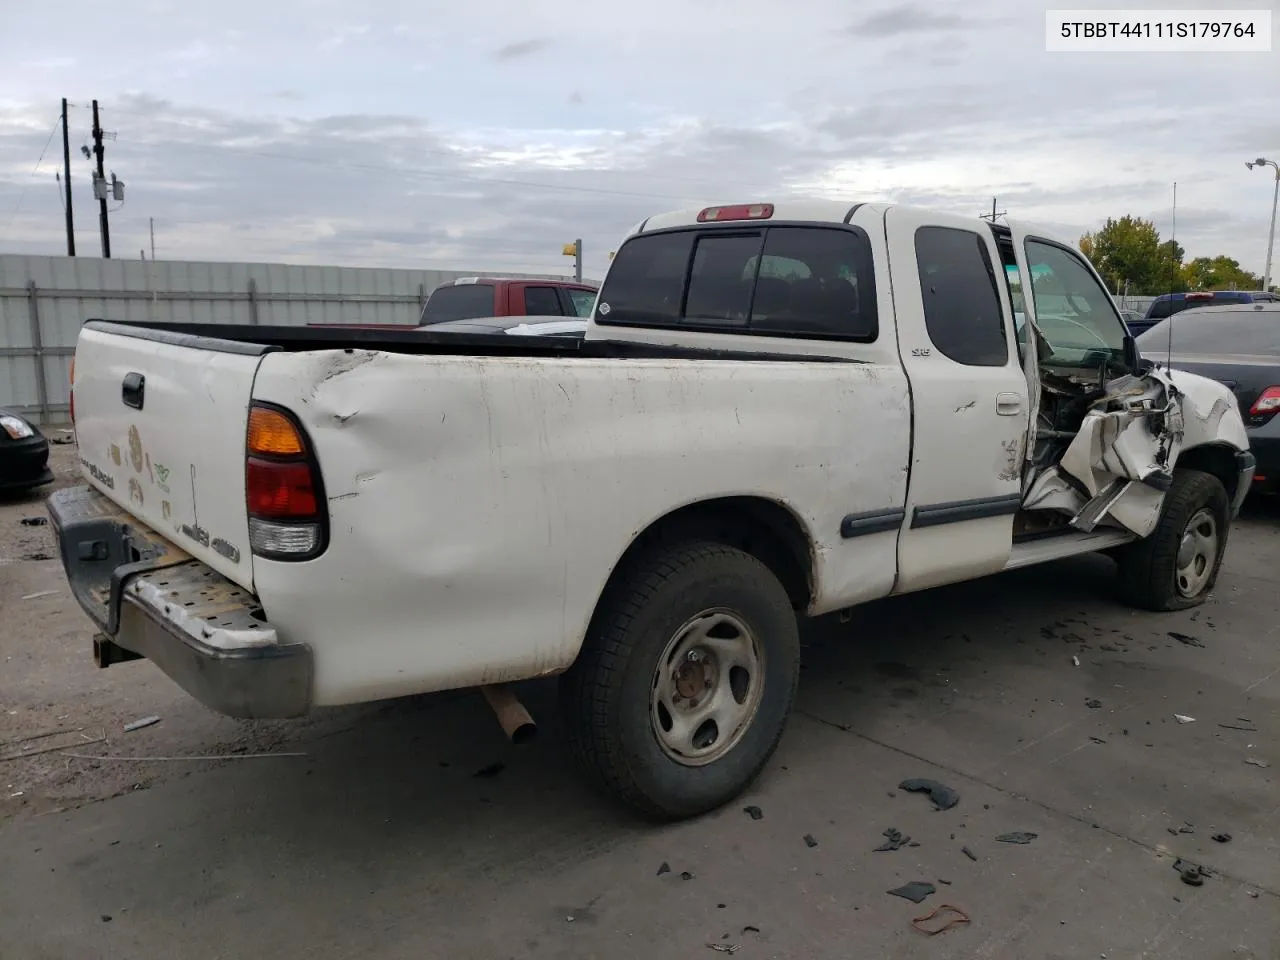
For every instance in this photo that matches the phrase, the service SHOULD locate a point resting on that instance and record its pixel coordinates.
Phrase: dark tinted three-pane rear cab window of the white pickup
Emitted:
(803, 282)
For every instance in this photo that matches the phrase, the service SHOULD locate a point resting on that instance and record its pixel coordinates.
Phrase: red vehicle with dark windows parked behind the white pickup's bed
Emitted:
(473, 298)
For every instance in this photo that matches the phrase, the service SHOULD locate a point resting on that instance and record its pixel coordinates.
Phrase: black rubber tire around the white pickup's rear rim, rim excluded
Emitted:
(606, 694)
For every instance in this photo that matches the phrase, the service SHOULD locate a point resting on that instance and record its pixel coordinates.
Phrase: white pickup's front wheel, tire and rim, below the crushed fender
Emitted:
(1177, 566)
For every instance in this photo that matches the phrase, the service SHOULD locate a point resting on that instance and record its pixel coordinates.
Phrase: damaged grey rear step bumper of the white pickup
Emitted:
(152, 600)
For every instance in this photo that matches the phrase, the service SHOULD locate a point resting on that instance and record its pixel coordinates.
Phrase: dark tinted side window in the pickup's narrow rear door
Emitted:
(962, 301)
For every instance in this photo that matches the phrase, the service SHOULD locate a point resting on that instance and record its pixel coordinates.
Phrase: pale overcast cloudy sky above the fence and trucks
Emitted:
(487, 134)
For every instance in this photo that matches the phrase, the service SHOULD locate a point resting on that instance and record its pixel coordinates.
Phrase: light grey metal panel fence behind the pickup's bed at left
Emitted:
(44, 301)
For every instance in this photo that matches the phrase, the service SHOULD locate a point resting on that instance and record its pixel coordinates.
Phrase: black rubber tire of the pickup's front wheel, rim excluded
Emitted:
(1149, 569)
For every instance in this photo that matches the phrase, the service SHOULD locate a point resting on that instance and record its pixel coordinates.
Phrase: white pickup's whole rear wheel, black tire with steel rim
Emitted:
(687, 679)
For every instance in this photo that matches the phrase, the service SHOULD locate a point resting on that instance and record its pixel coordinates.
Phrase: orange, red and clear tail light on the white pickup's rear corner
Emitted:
(287, 515)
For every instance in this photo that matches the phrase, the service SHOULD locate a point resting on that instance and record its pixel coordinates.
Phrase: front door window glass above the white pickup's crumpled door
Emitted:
(1076, 316)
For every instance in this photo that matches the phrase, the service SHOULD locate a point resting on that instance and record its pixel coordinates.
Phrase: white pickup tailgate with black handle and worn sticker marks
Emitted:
(161, 423)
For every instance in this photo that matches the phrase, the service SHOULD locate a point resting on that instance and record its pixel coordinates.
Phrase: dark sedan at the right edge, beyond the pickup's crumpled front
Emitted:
(1238, 346)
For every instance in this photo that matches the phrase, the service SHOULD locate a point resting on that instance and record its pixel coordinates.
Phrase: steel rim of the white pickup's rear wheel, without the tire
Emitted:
(707, 688)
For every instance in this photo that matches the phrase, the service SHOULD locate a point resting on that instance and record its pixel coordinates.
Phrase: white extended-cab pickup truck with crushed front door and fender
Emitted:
(779, 412)
